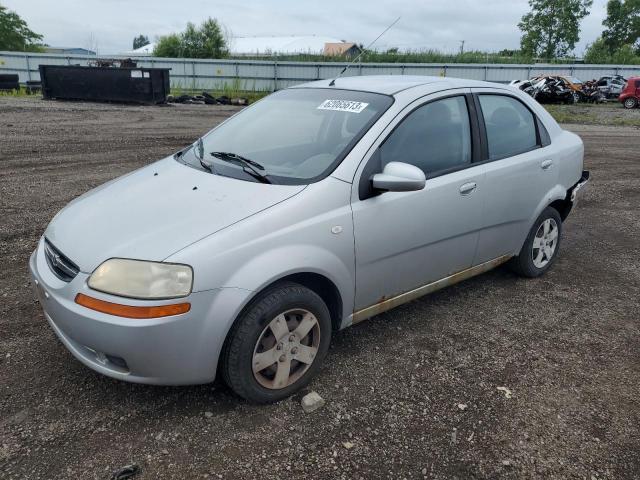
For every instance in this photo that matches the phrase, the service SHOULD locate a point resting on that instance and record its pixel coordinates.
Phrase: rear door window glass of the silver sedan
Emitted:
(510, 126)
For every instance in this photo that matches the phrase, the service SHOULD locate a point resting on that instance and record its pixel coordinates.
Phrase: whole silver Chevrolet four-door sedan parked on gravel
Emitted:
(313, 209)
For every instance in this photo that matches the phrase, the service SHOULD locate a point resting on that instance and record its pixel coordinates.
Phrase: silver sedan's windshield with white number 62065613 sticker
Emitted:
(296, 136)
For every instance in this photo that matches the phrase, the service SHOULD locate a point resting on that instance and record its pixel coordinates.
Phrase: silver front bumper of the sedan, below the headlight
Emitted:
(177, 350)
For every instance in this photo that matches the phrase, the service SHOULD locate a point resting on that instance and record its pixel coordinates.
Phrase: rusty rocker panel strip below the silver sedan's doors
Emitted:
(388, 303)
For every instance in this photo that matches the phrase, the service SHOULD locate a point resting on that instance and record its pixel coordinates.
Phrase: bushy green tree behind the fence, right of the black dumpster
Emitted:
(205, 41)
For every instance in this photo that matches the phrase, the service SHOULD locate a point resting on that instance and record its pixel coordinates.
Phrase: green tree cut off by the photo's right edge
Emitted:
(622, 24)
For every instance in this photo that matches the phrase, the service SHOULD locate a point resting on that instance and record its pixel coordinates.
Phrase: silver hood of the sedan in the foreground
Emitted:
(153, 212)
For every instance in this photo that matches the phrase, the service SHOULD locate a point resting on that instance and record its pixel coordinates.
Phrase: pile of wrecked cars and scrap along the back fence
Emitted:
(569, 90)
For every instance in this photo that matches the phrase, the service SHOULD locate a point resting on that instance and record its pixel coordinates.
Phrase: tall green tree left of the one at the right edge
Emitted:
(552, 28)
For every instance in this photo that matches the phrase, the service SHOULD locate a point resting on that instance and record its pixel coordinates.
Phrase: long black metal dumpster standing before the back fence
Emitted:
(105, 84)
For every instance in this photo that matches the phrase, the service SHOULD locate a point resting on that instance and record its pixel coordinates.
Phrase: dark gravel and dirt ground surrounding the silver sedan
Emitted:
(412, 393)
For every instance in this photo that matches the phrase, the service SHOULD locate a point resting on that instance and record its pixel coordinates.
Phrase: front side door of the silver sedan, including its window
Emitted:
(405, 240)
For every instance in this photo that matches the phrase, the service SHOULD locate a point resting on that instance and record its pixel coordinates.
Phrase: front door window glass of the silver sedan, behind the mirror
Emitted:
(434, 137)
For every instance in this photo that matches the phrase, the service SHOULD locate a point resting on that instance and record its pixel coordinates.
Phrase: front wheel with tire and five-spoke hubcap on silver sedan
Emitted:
(266, 337)
